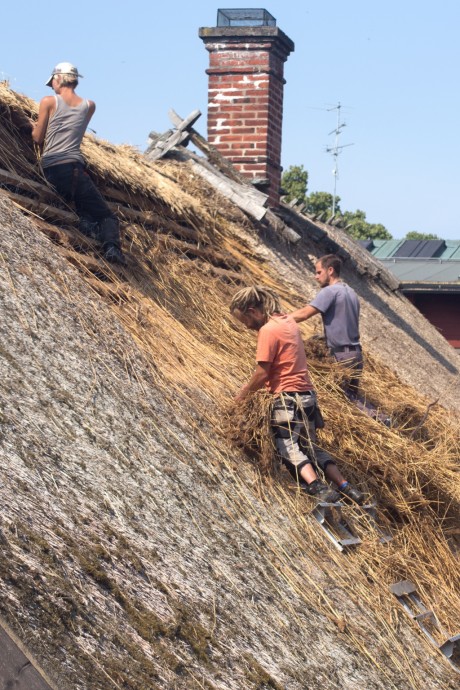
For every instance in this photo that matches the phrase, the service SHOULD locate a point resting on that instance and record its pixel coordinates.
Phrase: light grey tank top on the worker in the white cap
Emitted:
(64, 133)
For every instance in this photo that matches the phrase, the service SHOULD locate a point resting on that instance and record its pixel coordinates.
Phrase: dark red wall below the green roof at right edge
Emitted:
(442, 310)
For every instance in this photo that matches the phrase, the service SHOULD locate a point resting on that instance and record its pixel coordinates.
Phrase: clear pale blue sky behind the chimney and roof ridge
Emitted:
(394, 66)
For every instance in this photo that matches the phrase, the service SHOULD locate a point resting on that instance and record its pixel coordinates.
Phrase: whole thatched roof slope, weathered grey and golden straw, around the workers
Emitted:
(139, 547)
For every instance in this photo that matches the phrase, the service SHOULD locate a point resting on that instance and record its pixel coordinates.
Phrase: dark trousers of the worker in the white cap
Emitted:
(73, 183)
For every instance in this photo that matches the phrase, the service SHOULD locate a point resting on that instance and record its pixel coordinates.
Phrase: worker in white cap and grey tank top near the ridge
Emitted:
(62, 121)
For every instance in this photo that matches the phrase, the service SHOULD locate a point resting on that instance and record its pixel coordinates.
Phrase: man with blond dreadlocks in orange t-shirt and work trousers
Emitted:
(282, 368)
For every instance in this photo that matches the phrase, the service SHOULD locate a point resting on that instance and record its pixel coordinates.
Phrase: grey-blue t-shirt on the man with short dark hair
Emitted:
(339, 307)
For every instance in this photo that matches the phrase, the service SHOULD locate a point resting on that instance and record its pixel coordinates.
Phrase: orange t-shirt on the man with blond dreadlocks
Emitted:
(280, 343)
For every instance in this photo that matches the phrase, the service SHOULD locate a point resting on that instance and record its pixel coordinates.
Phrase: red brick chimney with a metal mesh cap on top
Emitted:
(247, 53)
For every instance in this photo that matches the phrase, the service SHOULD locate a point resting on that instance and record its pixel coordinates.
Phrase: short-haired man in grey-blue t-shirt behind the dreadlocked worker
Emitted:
(339, 307)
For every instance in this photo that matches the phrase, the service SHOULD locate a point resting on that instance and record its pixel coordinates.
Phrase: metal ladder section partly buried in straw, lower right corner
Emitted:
(406, 593)
